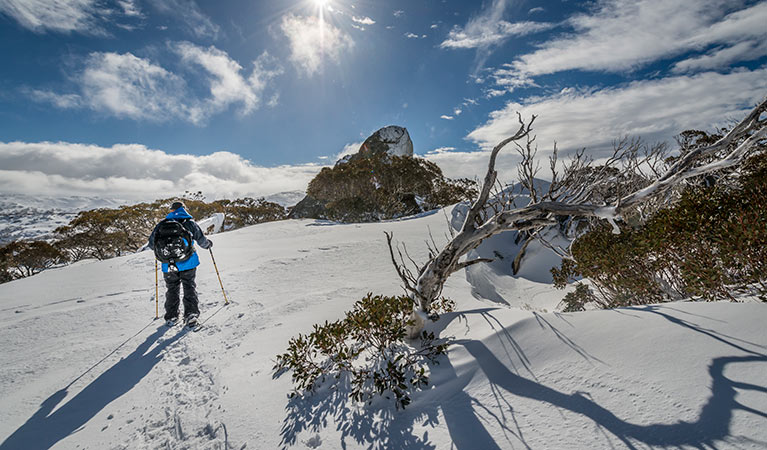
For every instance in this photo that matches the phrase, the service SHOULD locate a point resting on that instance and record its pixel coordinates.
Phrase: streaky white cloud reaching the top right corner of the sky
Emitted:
(621, 35)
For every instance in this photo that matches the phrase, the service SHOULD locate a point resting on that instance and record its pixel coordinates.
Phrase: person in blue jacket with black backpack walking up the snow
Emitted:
(185, 275)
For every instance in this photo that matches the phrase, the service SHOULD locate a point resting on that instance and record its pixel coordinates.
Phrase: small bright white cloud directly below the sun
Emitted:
(312, 41)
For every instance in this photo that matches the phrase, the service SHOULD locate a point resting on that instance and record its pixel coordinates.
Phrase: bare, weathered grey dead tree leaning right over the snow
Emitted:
(576, 190)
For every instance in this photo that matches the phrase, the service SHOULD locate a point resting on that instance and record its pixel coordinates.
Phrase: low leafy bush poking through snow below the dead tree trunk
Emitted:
(368, 348)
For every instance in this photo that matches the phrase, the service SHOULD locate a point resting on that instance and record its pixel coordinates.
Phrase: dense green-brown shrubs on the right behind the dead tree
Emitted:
(712, 243)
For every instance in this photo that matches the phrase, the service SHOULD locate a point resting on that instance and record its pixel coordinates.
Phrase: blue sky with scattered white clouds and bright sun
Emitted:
(146, 99)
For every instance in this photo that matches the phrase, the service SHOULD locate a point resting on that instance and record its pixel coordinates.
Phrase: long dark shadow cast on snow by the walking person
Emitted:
(45, 428)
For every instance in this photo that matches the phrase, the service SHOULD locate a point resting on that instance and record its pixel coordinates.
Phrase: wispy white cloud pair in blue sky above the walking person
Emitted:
(127, 86)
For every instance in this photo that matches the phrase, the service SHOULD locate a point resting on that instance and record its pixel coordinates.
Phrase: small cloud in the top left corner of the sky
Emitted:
(55, 15)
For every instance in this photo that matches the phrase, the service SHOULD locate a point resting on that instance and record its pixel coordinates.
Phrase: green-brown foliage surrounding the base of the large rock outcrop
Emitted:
(383, 187)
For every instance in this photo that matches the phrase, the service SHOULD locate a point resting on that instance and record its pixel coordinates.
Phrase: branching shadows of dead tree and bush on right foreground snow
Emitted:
(380, 425)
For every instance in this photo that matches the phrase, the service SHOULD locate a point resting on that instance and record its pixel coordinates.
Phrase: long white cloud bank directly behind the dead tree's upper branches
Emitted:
(653, 109)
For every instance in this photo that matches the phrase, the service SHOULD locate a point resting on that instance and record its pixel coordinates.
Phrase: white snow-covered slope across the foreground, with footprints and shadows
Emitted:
(84, 365)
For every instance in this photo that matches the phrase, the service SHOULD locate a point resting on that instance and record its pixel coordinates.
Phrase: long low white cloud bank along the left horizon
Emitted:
(134, 172)
